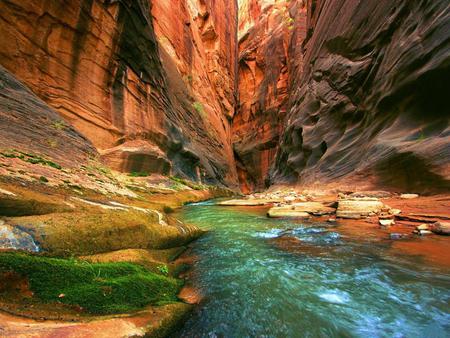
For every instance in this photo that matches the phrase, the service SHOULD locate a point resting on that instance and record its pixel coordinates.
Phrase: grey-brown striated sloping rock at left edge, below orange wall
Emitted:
(29, 124)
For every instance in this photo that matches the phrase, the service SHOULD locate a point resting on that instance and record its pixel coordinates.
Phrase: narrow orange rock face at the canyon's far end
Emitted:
(268, 30)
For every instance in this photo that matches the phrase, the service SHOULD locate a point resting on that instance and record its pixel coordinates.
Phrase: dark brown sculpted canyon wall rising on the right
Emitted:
(368, 106)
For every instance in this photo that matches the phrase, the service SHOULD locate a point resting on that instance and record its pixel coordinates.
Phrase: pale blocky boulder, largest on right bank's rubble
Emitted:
(358, 208)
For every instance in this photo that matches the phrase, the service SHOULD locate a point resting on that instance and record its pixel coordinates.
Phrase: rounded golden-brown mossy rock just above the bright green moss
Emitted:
(90, 232)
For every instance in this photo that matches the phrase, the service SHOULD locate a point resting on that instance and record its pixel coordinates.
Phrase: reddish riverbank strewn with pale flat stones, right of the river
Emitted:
(409, 223)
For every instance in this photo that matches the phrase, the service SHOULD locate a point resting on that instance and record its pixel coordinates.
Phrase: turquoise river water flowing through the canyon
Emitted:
(337, 287)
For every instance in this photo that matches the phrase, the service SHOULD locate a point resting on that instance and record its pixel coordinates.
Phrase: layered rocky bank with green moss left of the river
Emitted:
(89, 251)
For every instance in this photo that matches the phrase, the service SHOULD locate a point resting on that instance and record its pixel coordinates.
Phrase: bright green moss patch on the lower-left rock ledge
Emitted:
(99, 288)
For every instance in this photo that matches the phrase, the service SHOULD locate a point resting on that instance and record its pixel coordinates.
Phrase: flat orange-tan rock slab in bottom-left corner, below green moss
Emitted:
(157, 321)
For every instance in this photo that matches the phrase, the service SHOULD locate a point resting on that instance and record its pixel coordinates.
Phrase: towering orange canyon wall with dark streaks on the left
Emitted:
(150, 83)
